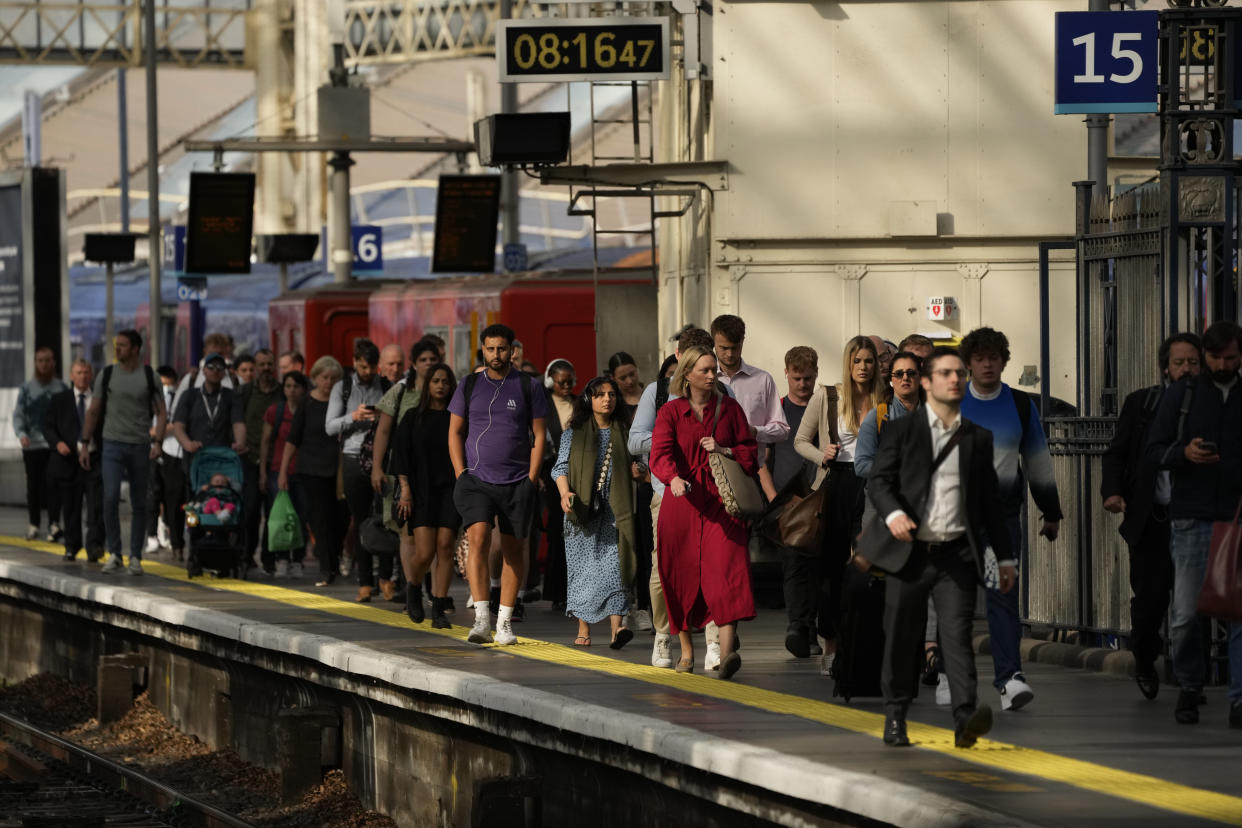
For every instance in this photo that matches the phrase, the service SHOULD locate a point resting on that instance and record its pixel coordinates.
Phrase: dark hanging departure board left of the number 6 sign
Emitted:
(218, 234)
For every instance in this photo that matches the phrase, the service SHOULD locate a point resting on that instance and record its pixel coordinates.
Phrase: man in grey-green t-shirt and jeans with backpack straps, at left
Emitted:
(126, 397)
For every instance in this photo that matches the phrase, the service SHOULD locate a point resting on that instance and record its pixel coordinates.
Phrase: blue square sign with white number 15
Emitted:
(1107, 61)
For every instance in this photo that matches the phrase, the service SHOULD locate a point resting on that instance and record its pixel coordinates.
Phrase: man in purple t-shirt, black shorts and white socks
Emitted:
(492, 419)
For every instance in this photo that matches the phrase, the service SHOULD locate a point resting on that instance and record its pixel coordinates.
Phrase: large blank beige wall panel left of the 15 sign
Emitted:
(830, 112)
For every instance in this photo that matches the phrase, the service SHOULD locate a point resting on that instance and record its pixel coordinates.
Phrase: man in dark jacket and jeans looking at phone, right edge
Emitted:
(1198, 435)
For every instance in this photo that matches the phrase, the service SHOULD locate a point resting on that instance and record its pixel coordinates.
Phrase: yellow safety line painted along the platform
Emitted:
(1013, 759)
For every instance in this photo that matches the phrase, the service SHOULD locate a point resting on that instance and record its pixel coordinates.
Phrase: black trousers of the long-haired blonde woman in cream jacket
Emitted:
(843, 521)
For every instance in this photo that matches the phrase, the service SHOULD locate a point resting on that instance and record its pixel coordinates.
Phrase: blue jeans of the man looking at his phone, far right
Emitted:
(1190, 544)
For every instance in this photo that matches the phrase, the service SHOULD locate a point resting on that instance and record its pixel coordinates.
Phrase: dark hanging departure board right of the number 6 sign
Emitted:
(468, 210)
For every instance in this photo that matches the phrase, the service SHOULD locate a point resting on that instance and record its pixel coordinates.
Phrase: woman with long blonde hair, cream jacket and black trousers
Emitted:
(827, 438)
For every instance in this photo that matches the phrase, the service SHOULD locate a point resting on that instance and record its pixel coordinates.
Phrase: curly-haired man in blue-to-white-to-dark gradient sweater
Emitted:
(1022, 459)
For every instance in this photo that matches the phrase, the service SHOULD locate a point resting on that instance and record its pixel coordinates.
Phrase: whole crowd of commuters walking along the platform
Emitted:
(921, 460)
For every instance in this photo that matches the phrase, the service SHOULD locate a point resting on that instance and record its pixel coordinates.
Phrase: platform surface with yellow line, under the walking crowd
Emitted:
(1089, 752)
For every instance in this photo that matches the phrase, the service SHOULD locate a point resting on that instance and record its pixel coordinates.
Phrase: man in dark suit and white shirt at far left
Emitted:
(63, 430)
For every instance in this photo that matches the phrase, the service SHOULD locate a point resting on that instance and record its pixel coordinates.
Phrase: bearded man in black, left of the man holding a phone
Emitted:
(1136, 487)
